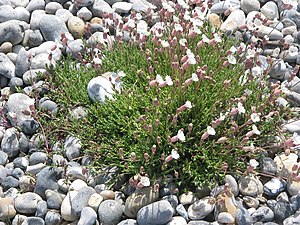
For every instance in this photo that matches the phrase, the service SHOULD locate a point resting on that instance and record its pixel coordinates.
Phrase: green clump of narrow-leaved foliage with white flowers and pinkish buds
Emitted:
(194, 103)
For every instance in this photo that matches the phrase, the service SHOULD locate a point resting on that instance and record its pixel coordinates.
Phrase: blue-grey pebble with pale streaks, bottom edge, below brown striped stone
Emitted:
(157, 213)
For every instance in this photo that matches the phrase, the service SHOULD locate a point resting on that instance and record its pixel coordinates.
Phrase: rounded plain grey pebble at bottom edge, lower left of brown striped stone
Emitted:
(110, 212)
